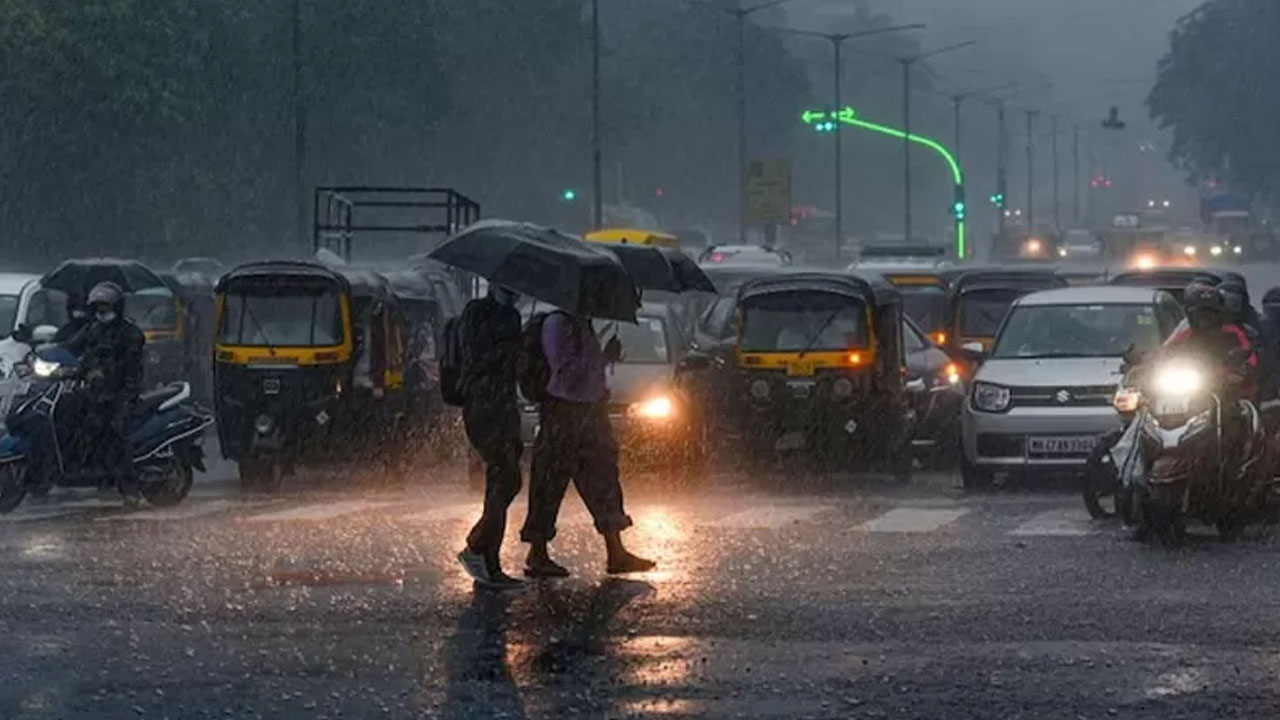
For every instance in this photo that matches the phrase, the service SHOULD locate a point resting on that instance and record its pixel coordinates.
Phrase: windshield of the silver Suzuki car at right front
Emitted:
(1078, 331)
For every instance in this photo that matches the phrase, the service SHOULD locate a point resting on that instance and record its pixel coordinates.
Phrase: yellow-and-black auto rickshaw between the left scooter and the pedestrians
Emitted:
(309, 366)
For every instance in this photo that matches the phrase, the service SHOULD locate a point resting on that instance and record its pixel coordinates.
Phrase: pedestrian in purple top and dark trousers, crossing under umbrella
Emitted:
(577, 443)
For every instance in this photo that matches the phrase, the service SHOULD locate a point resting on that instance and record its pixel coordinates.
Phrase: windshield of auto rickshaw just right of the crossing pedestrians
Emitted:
(803, 321)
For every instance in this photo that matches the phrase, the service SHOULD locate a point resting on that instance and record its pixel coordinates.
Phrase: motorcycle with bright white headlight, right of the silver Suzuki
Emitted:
(1201, 457)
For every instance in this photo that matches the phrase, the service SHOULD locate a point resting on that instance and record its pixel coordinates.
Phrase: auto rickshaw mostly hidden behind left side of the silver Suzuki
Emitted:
(981, 299)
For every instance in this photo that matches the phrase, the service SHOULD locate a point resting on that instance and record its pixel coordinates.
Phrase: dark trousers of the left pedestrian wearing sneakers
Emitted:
(495, 432)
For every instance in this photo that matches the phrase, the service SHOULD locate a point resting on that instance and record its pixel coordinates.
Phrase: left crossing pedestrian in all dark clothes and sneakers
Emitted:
(490, 330)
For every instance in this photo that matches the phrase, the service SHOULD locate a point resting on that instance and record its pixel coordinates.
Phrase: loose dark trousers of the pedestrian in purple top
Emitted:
(575, 443)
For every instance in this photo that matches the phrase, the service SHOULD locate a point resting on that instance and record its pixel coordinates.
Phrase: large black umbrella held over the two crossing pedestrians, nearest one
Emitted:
(547, 266)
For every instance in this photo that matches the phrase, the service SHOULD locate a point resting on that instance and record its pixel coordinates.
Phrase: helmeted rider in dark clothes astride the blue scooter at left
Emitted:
(111, 354)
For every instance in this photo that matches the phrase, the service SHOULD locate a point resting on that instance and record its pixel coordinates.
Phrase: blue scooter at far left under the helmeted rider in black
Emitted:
(164, 430)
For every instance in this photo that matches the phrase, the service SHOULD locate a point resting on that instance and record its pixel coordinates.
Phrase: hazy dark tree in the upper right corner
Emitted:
(1217, 93)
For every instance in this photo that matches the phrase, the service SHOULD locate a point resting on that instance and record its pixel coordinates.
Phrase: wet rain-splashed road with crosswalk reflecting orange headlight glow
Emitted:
(848, 599)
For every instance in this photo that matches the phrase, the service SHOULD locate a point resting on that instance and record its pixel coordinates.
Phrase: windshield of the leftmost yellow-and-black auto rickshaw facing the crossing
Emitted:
(281, 316)
